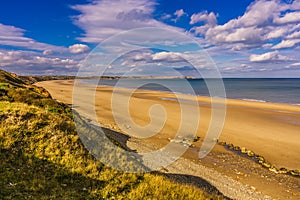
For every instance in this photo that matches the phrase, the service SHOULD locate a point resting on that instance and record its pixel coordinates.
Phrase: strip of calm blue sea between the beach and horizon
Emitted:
(279, 90)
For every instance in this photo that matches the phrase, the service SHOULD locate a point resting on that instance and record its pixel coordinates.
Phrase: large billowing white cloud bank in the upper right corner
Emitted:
(264, 22)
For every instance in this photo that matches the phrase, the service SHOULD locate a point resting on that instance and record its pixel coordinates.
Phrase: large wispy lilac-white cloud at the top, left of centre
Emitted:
(102, 19)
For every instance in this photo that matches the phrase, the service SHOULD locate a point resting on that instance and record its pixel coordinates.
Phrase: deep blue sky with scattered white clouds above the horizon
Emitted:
(244, 38)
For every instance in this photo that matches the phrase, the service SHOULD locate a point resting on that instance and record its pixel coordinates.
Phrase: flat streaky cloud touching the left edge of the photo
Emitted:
(14, 36)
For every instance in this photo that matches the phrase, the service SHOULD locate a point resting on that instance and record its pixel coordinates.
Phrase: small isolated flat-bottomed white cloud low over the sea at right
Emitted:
(270, 56)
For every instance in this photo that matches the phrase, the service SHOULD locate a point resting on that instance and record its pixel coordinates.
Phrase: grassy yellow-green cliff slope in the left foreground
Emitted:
(42, 157)
